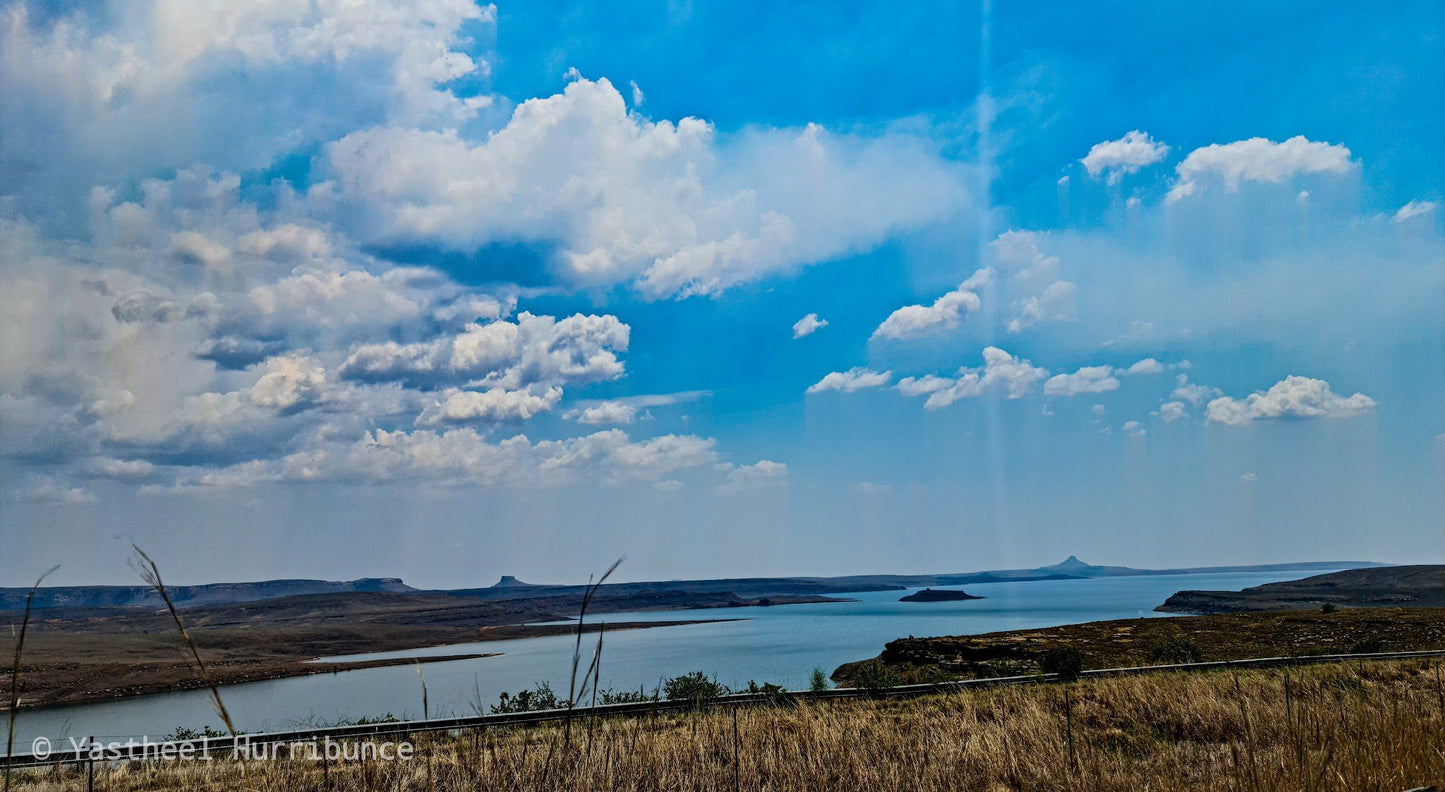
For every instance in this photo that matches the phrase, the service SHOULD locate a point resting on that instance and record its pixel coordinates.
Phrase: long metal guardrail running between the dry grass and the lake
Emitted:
(229, 746)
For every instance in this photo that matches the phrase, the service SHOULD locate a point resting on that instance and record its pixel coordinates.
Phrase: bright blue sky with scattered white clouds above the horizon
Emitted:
(449, 291)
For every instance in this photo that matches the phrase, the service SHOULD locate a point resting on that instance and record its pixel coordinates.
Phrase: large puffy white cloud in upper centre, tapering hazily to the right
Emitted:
(624, 197)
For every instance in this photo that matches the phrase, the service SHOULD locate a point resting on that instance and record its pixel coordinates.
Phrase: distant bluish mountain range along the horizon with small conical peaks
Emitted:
(514, 589)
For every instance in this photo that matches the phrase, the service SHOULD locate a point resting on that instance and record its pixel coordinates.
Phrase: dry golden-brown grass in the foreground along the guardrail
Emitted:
(1340, 728)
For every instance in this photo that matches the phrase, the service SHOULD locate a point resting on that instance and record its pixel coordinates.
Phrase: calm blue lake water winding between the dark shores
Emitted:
(777, 645)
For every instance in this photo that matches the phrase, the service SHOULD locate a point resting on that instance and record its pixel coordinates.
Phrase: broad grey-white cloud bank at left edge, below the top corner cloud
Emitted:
(215, 333)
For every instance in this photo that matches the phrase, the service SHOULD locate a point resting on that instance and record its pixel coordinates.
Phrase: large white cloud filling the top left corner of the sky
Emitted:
(119, 90)
